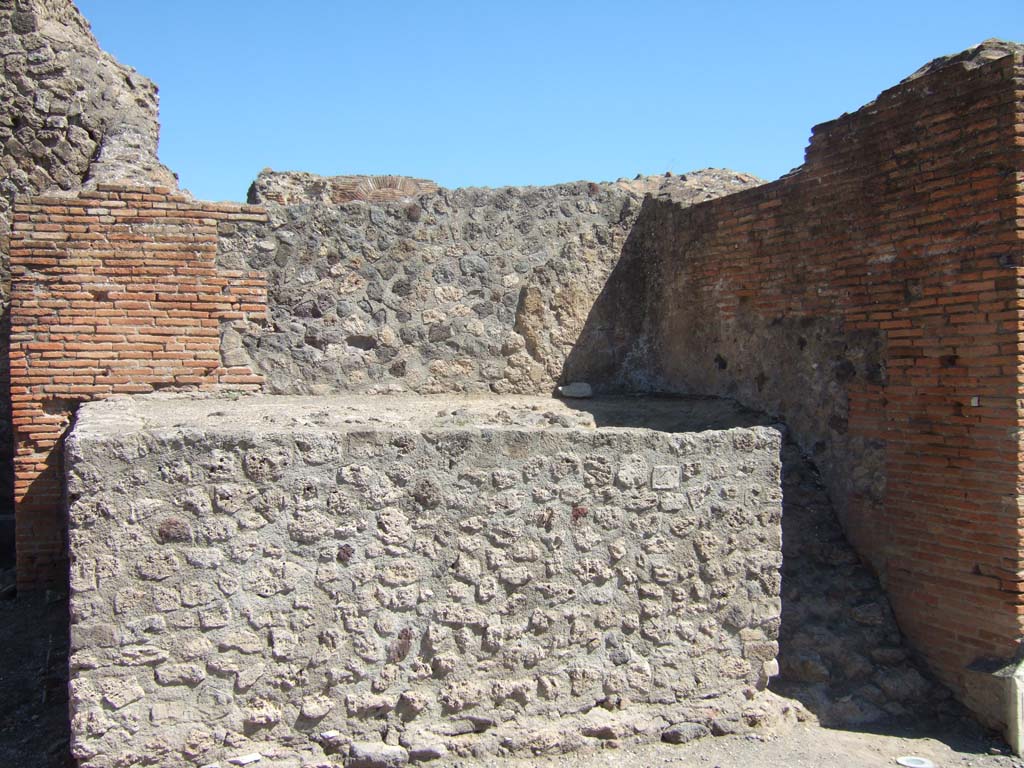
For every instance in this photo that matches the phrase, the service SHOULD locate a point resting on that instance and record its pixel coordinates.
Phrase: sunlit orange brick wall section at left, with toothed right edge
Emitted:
(115, 291)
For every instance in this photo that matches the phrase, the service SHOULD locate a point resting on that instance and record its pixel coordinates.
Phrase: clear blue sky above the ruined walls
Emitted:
(488, 94)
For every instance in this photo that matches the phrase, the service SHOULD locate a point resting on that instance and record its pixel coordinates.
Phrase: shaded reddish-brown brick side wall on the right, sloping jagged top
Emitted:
(872, 300)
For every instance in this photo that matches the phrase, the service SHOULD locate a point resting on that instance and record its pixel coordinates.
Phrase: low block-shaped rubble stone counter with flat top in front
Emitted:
(388, 579)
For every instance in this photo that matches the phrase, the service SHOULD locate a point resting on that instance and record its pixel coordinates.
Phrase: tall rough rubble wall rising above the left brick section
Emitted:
(72, 115)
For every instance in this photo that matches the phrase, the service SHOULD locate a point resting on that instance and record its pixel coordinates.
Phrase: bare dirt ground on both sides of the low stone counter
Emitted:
(34, 721)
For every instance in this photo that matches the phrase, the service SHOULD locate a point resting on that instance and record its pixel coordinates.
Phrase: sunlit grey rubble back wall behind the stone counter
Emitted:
(439, 291)
